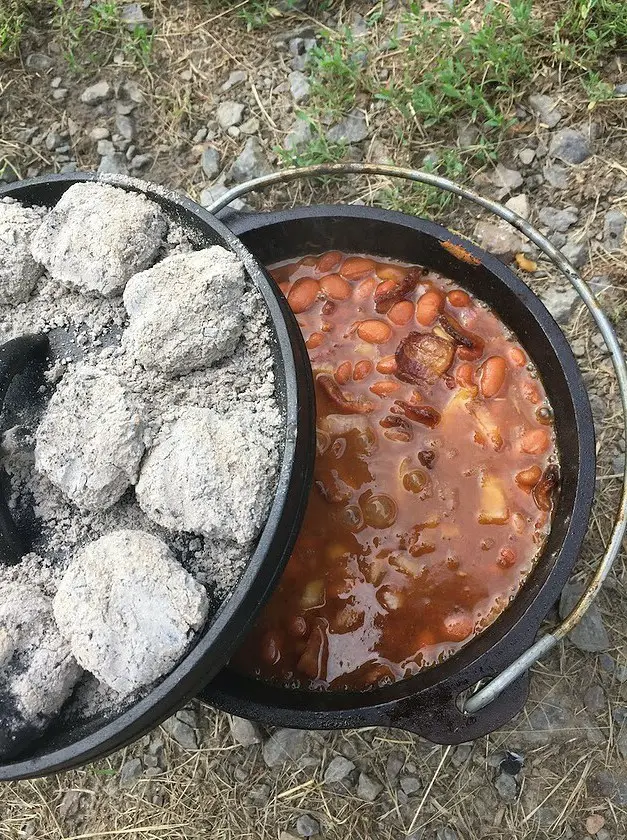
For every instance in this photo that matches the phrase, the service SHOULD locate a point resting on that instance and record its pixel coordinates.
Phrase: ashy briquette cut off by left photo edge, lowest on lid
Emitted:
(37, 669)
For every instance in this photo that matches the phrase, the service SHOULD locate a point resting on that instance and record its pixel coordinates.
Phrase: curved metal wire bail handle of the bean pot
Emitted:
(490, 691)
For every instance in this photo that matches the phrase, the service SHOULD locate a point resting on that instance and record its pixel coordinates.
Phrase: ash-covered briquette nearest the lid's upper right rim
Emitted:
(185, 312)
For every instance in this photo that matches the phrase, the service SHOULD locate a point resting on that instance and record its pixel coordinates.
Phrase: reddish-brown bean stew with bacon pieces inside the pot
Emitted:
(435, 477)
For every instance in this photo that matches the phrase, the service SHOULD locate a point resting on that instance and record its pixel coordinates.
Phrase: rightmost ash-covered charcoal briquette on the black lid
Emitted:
(210, 474)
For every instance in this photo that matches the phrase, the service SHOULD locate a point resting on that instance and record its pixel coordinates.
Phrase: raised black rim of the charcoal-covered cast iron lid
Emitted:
(71, 745)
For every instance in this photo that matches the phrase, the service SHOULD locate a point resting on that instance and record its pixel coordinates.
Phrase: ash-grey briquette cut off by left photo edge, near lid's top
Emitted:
(19, 271)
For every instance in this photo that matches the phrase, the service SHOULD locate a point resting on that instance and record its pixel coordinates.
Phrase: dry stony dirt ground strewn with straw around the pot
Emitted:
(559, 769)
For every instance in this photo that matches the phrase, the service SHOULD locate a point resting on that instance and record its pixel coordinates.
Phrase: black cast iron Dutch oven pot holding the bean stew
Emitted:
(430, 703)
